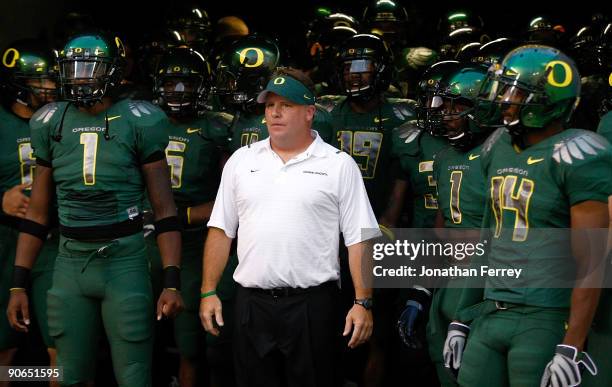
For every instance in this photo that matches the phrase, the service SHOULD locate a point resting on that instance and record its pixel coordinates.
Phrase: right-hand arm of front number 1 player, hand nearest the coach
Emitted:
(167, 227)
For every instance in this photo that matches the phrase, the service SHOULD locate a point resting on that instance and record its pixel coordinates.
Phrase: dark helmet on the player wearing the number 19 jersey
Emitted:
(364, 67)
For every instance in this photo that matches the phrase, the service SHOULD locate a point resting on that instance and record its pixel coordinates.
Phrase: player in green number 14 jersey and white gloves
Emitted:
(540, 176)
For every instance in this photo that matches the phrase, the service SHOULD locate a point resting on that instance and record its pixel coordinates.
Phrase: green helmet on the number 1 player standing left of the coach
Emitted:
(90, 66)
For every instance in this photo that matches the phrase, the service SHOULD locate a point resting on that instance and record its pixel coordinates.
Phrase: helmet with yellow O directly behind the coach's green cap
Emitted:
(244, 70)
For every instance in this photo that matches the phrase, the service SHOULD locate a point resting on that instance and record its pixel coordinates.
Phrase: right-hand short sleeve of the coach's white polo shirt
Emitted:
(357, 221)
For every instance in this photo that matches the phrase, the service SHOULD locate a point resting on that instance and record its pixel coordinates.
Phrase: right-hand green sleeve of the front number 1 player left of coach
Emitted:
(151, 126)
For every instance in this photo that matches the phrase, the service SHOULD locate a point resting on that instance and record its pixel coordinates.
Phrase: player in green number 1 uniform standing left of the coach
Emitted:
(98, 156)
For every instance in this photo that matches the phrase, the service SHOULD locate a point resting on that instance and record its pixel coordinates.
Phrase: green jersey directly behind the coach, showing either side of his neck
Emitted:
(249, 128)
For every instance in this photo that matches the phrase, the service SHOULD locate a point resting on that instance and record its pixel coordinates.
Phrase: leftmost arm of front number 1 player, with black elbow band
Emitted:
(33, 233)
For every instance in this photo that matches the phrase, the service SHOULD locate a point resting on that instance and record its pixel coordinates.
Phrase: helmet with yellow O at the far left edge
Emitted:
(29, 74)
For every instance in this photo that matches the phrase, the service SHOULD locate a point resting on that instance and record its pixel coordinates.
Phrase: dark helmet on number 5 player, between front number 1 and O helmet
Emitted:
(182, 81)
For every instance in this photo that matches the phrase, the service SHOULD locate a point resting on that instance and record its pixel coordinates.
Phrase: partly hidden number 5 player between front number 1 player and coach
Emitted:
(196, 140)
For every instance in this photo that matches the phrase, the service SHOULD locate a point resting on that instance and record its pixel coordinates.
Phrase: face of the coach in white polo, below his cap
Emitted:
(286, 119)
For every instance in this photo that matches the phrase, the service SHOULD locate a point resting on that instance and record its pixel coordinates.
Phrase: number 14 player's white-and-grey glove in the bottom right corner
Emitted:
(564, 370)
